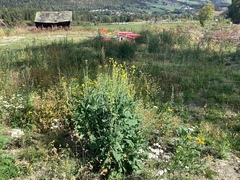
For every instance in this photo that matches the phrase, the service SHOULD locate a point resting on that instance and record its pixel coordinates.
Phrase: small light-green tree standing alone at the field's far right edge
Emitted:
(206, 13)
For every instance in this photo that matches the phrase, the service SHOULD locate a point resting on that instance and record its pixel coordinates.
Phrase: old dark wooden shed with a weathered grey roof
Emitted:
(50, 19)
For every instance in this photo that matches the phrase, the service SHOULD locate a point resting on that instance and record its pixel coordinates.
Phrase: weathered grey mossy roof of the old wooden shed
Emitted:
(53, 16)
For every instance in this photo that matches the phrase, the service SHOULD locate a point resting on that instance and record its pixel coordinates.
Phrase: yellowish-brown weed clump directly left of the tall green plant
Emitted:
(52, 109)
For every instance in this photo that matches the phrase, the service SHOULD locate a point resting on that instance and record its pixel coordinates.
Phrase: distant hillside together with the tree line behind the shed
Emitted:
(108, 11)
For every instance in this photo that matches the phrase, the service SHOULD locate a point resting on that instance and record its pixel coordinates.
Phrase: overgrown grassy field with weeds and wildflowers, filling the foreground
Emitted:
(164, 106)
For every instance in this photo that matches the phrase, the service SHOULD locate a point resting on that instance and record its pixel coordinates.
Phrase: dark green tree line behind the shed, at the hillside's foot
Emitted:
(19, 17)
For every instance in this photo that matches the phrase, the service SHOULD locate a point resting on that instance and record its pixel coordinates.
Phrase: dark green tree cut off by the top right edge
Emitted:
(234, 11)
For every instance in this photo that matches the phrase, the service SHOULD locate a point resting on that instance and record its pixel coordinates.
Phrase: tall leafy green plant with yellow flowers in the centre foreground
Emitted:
(108, 122)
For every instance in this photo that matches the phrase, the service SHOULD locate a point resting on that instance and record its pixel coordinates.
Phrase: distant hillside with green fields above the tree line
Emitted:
(143, 6)
